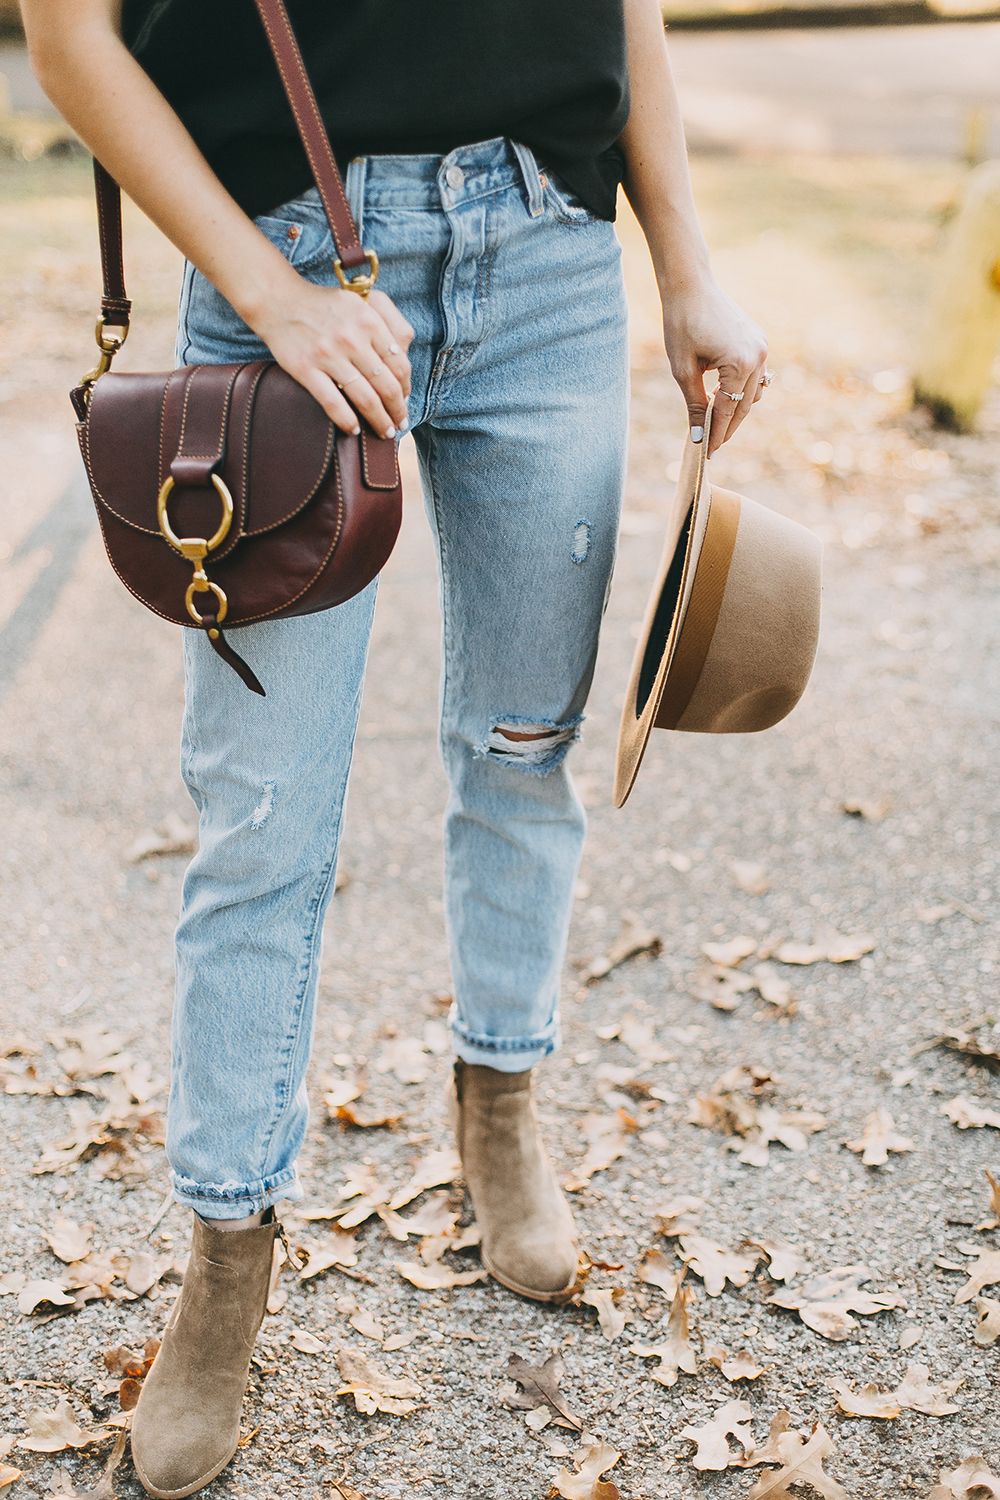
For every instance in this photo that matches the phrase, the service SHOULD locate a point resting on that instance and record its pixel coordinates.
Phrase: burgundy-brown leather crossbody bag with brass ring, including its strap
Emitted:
(224, 491)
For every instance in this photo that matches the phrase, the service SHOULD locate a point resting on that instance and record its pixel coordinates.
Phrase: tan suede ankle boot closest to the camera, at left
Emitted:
(187, 1426)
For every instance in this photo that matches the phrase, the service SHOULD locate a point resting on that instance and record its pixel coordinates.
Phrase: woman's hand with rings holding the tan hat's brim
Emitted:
(705, 331)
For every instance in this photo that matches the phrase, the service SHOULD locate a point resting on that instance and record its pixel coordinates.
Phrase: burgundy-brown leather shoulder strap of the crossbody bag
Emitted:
(115, 305)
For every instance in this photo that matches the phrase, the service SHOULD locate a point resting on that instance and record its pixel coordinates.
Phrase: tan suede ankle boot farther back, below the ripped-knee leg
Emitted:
(528, 1232)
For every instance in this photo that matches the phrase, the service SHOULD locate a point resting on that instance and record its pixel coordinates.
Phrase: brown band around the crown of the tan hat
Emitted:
(699, 623)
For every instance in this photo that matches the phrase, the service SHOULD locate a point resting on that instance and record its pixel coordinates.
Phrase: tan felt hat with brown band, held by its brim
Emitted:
(732, 623)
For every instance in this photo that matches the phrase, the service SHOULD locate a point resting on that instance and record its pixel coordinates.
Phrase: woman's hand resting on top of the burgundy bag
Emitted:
(341, 346)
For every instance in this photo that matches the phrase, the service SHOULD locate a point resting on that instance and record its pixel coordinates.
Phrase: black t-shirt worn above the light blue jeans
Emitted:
(394, 77)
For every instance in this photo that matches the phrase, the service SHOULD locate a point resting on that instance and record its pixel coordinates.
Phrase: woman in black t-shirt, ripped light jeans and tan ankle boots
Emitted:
(484, 148)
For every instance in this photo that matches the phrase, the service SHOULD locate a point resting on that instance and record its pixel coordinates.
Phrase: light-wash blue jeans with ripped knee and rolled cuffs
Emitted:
(519, 415)
